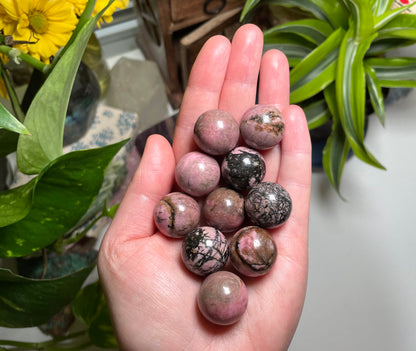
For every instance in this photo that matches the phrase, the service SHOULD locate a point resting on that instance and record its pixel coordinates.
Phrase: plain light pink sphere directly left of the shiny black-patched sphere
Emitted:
(197, 174)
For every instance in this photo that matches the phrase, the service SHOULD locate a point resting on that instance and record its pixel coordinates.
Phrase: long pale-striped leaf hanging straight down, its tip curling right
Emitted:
(350, 93)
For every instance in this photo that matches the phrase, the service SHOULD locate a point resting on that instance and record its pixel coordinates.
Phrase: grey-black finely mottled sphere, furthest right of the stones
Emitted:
(268, 205)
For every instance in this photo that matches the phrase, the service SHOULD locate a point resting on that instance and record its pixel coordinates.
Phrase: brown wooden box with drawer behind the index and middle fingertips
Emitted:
(171, 32)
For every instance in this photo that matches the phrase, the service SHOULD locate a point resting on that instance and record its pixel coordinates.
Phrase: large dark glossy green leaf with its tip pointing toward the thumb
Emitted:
(64, 191)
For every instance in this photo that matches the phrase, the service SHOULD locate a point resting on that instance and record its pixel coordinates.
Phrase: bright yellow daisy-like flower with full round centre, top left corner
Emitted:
(47, 24)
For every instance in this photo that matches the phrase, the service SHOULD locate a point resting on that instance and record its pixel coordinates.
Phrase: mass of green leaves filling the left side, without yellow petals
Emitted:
(40, 216)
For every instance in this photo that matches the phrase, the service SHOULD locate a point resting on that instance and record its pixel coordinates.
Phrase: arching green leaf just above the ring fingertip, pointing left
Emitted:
(313, 30)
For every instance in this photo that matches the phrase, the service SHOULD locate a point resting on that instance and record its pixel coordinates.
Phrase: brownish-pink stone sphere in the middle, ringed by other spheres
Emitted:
(223, 209)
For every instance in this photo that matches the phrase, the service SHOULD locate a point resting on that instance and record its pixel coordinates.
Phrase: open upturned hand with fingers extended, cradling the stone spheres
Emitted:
(151, 295)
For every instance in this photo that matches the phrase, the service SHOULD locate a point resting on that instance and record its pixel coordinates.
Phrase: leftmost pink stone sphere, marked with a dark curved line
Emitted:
(176, 214)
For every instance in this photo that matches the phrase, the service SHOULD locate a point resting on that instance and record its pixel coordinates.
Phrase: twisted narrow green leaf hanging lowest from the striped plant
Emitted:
(337, 147)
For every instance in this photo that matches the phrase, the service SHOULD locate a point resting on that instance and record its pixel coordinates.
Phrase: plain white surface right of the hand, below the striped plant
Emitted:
(362, 278)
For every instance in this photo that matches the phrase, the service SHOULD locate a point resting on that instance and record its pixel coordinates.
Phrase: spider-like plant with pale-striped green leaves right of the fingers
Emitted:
(341, 56)
